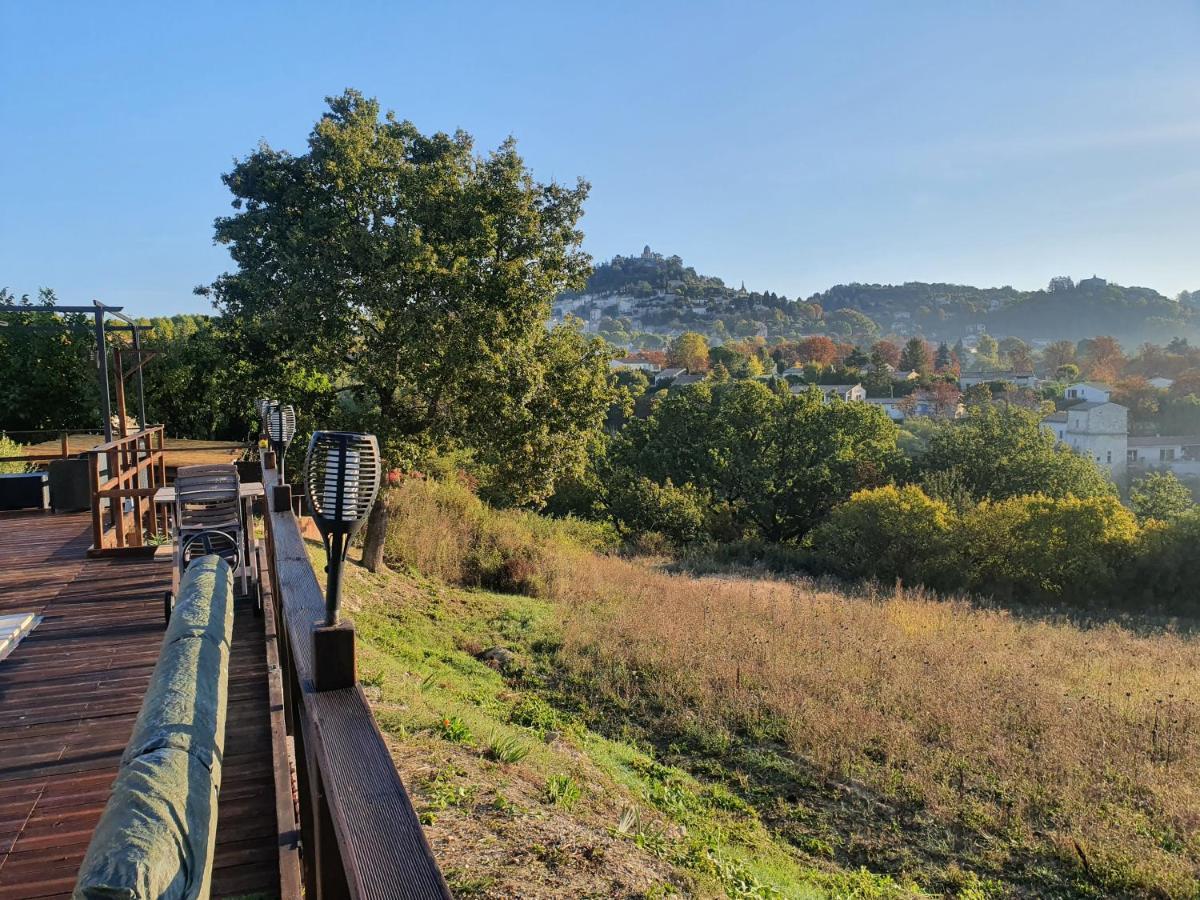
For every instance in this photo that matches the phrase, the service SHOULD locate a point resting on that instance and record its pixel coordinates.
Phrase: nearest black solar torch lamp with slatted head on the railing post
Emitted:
(343, 475)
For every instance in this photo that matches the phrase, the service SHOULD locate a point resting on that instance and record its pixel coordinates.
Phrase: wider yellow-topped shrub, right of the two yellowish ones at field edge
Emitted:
(1042, 550)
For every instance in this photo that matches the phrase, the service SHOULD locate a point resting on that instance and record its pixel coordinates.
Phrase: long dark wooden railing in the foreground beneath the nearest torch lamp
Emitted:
(359, 833)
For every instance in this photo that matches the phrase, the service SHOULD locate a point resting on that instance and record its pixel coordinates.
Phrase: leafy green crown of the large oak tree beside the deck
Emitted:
(416, 278)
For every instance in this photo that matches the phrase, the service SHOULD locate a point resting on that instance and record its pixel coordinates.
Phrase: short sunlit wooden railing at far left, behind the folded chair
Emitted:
(124, 476)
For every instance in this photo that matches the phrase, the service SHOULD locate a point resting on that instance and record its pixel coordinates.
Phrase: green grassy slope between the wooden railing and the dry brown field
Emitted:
(580, 814)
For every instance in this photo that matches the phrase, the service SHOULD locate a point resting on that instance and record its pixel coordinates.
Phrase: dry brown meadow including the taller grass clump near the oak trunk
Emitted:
(937, 743)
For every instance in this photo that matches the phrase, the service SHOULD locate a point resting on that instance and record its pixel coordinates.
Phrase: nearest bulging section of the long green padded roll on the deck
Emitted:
(158, 833)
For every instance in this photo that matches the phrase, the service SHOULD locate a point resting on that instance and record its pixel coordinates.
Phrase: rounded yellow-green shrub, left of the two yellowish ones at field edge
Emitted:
(889, 533)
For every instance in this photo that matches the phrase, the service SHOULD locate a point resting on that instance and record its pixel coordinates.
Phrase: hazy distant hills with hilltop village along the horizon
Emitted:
(640, 301)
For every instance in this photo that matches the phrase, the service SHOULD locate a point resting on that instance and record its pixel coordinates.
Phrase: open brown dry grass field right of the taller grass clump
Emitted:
(1036, 752)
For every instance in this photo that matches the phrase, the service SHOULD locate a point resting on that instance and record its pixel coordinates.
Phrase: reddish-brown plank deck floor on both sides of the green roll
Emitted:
(69, 697)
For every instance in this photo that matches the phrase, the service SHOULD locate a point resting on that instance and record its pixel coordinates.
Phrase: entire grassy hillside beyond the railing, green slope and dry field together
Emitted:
(574, 723)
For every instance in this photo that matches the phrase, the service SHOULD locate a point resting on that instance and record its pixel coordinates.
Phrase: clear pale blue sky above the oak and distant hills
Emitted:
(791, 146)
